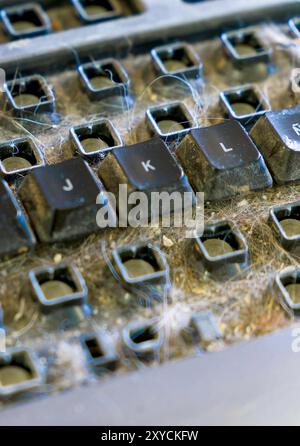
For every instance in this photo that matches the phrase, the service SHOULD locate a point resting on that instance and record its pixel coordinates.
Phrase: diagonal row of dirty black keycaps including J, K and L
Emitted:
(221, 161)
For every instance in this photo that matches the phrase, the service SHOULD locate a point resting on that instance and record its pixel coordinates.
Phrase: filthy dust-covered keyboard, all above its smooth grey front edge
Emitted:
(160, 96)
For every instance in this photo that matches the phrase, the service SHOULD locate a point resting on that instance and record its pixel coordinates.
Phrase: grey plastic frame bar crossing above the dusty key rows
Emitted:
(161, 19)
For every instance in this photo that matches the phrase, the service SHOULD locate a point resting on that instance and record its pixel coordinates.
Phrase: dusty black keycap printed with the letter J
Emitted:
(61, 200)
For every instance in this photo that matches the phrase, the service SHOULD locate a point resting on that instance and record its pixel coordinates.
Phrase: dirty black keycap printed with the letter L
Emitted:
(222, 161)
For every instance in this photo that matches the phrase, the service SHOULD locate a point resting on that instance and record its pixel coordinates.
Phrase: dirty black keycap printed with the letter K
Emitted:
(146, 167)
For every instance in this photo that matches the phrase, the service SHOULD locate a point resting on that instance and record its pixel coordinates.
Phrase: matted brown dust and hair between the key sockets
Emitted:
(244, 306)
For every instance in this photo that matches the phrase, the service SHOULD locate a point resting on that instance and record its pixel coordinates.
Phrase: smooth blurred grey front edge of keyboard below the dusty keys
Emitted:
(247, 384)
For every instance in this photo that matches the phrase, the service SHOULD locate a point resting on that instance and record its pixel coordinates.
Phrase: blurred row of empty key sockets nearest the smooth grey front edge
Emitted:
(22, 371)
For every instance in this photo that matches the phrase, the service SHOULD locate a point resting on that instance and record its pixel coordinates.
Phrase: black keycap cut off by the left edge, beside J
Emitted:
(15, 235)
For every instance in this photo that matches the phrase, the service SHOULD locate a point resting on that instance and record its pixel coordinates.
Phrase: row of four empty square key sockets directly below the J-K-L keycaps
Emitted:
(143, 270)
